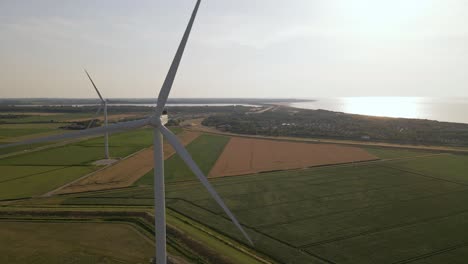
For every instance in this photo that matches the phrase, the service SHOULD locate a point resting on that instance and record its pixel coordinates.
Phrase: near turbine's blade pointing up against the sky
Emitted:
(167, 85)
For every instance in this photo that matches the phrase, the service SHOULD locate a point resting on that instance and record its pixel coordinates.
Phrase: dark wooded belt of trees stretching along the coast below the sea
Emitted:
(286, 121)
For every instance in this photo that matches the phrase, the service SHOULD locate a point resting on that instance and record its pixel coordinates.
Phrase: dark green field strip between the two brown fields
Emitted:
(205, 150)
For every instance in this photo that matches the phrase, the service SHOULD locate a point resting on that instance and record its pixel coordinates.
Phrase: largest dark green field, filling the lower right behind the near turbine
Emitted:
(386, 212)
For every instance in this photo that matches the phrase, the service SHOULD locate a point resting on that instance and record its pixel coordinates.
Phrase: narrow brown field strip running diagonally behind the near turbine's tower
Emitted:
(125, 172)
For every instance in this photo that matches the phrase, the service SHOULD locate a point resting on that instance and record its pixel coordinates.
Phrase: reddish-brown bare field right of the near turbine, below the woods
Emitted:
(247, 156)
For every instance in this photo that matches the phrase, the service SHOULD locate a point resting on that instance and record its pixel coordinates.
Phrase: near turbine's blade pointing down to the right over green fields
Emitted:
(183, 153)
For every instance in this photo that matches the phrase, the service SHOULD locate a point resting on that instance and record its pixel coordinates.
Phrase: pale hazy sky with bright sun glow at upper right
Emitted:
(241, 48)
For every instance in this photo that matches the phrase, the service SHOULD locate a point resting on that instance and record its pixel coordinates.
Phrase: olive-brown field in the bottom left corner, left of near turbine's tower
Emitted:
(50, 243)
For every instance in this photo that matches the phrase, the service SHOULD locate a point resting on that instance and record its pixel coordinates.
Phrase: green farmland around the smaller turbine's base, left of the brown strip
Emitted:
(35, 173)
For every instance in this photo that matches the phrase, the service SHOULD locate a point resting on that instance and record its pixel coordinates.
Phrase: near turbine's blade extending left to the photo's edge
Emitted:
(114, 128)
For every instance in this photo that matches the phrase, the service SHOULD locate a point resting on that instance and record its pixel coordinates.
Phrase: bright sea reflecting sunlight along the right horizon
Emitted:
(440, 109)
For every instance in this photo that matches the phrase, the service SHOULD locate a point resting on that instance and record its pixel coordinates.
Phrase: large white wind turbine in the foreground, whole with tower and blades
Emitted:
(157, 121)
